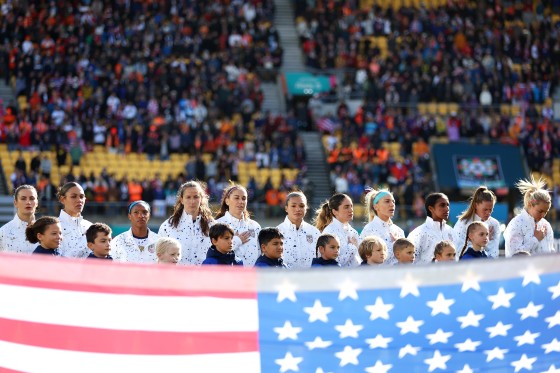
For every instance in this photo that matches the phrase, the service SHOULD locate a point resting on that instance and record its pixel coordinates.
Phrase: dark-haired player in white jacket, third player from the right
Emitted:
(435, 228)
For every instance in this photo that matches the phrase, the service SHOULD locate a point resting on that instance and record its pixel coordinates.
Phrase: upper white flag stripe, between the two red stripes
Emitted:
(128, 312)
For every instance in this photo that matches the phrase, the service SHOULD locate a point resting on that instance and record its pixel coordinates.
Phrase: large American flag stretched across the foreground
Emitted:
(476, 316)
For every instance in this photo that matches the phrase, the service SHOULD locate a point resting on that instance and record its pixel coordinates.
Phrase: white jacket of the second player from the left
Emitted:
(74, 242)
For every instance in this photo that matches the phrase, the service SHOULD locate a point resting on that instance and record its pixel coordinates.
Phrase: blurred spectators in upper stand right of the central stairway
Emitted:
(469, 52)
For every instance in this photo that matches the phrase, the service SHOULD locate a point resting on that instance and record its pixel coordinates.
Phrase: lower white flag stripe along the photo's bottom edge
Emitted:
(37, 359)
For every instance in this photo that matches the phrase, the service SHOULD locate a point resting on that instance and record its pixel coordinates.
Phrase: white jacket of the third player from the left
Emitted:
(126, 248)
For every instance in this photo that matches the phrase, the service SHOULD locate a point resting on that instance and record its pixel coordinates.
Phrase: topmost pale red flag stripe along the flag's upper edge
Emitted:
(126, 278)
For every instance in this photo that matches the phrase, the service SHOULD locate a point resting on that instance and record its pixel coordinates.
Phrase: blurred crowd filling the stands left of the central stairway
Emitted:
(156, 77)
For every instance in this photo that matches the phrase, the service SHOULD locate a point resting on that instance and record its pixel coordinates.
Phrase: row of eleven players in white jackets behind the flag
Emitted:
(528, 232)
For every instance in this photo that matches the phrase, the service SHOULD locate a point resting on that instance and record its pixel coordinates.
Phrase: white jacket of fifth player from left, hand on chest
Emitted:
(249, 251)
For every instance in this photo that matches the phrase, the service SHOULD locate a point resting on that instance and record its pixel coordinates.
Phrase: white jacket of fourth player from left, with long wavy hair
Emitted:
(194, 244)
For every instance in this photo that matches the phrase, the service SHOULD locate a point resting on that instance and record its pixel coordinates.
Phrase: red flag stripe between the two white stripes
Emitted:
(125, 342)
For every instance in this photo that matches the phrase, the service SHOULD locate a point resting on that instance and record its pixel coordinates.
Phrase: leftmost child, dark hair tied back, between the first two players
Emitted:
(48, 233)
